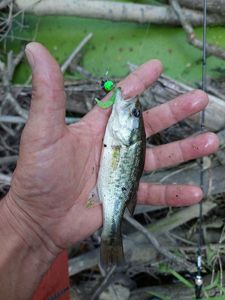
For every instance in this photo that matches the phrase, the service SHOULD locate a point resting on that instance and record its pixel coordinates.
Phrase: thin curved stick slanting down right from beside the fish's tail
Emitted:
(156, 244)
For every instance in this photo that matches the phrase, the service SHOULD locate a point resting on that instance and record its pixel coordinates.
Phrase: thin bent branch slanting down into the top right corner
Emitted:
(211, 49)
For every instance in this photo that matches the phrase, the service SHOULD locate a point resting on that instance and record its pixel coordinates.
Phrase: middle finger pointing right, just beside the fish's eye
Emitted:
(167, 114)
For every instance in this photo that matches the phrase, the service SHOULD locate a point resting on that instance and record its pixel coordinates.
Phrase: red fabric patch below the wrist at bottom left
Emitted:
(55, 284)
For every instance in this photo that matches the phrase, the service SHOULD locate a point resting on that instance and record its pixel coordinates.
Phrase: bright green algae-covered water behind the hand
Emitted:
(114, 44)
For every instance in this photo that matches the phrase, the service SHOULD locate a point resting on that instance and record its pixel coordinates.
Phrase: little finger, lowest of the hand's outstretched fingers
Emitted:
(169, 195)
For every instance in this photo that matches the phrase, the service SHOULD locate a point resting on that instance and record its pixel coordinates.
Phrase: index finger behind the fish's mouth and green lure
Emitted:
(133, 85)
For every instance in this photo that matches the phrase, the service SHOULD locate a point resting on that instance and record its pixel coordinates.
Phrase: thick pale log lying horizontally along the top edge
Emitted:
(115, 11)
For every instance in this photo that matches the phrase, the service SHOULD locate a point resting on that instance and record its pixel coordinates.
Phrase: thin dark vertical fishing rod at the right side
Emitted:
(198, 278)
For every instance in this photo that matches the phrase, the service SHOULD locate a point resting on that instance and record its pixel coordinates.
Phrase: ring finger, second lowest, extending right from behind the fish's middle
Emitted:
(180, 151)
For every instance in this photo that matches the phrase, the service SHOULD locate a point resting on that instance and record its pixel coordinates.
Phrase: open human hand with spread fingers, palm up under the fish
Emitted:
(58, 164)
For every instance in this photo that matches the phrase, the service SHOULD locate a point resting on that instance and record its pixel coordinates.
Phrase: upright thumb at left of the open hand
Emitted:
(47, 110)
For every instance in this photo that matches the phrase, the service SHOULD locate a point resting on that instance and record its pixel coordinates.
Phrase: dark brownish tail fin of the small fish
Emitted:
(111, 253)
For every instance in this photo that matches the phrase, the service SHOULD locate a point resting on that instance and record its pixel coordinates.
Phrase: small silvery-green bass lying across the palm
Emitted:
(121, 166)
